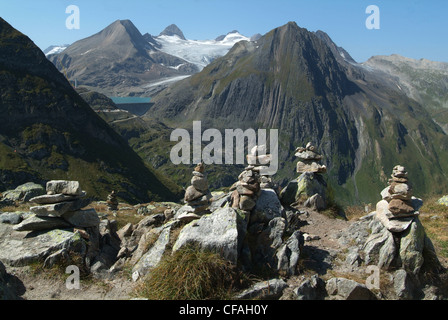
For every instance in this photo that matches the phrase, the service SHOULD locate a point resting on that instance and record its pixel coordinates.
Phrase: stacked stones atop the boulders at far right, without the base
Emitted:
(398, 207)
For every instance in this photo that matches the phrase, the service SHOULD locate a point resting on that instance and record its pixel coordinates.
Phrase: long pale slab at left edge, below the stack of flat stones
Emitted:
(38, 246)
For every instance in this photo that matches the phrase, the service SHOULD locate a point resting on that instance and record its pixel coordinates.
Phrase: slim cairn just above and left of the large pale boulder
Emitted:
(197, 196)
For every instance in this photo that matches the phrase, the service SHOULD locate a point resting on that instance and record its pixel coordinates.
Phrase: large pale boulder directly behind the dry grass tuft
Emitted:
(221, 232)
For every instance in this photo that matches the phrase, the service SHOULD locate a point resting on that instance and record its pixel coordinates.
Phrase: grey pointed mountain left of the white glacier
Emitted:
(118, 60)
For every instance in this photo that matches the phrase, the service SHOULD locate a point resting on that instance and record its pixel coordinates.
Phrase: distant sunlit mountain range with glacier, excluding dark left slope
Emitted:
(364, 117)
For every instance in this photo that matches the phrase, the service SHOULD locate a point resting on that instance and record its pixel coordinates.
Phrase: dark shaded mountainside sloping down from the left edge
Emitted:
(48, 131)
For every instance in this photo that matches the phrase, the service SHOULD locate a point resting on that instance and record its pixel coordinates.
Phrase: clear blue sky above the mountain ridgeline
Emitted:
(412, 28)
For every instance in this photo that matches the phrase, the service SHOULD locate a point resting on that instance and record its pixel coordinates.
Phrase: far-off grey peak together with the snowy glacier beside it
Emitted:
(120, 61)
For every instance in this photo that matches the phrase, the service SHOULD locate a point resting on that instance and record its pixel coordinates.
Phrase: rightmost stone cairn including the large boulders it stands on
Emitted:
(400, 241)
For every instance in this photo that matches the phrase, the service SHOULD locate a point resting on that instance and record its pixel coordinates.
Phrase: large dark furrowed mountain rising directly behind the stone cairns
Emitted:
(299, 82)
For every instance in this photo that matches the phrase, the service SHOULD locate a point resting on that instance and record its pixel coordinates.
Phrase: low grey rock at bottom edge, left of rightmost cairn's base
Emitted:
(345, 289)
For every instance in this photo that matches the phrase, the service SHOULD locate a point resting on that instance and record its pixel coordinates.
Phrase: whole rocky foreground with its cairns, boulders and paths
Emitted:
(278, 239)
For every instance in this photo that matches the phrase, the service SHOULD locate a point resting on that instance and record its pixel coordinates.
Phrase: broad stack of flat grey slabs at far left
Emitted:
(60, 208)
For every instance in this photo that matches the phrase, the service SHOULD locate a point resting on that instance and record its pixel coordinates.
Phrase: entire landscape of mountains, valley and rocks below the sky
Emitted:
(261, 165)
